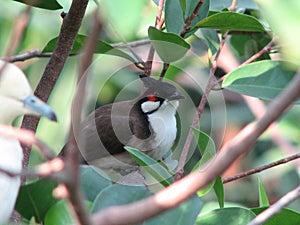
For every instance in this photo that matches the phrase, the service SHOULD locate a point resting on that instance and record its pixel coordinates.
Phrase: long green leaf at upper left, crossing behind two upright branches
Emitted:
(101, 48)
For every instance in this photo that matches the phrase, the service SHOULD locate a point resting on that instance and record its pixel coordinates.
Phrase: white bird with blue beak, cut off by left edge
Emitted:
(16, 99)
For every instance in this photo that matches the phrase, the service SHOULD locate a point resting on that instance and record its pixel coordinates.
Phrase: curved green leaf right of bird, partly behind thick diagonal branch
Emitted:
(208, 150)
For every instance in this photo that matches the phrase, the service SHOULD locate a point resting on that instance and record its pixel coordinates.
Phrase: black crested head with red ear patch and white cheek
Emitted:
(158, 94)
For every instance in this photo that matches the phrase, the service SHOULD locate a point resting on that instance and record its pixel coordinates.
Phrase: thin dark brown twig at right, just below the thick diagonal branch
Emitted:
(261, 168)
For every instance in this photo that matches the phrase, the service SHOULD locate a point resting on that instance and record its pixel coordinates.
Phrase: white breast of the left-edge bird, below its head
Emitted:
(11, 157)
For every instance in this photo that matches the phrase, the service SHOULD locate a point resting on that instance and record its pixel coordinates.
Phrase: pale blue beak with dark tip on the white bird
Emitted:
(39, 107)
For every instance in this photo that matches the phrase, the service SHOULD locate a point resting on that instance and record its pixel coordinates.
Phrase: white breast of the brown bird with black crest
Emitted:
(163, 123)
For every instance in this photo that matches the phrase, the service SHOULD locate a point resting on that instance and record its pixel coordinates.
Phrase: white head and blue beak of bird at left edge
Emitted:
(16, 96)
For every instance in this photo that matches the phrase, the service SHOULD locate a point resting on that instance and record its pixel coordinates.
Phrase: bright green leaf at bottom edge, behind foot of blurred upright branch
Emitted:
(61, 214)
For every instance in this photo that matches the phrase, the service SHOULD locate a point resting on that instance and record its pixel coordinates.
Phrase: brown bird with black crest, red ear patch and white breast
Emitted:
(147, 123)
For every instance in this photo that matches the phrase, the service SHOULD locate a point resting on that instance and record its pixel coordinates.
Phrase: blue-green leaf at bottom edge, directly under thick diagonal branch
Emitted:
(186, 213)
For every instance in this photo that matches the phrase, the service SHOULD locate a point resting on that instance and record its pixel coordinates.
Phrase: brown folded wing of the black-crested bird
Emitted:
(105, 131)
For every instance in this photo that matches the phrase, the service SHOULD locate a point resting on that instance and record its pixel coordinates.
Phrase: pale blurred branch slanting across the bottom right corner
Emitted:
(276, 207)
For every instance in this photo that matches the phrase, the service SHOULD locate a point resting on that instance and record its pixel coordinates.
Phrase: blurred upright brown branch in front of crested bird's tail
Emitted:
(71, 157)
